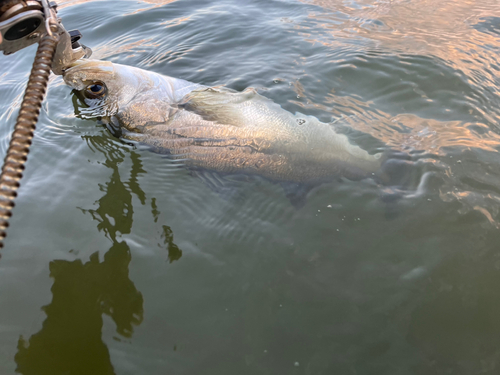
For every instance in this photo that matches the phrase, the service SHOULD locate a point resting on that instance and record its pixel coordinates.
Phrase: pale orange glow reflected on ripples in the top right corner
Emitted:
(449, 32)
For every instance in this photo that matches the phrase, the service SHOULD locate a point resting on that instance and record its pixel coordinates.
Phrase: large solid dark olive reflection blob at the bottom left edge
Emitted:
(70, 341)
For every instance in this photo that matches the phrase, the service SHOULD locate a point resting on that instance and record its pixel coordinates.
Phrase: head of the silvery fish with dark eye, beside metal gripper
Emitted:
(123, 95)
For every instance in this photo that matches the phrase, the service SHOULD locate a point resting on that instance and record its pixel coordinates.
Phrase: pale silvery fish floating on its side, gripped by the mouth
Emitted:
(218, 129)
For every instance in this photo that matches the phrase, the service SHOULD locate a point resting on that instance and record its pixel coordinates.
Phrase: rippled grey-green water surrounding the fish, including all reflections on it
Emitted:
(117, 261)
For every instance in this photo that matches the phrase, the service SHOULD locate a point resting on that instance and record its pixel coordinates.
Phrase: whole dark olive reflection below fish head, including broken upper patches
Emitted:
(70, 341)
